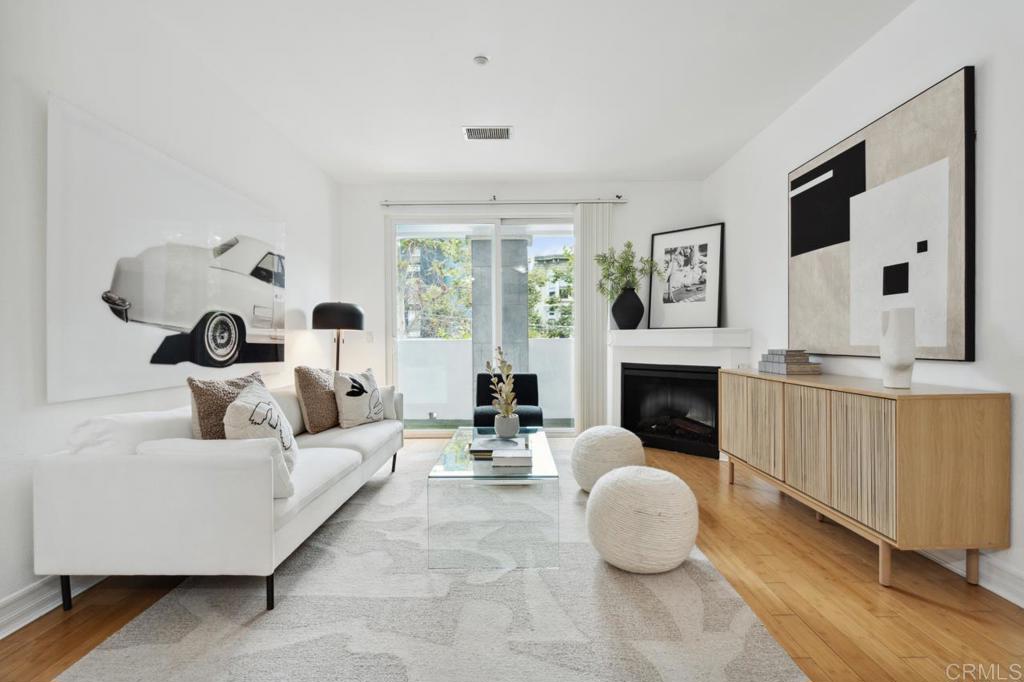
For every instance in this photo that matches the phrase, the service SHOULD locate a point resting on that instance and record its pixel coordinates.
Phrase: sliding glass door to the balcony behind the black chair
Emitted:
(461, 289)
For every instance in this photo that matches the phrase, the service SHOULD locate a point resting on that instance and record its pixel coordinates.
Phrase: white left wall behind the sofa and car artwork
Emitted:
(111, 59)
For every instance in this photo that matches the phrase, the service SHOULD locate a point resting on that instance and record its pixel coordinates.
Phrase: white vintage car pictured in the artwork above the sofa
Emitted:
(225, 297)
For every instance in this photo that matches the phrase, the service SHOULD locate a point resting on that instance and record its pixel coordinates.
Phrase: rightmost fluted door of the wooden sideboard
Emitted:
(864, 460)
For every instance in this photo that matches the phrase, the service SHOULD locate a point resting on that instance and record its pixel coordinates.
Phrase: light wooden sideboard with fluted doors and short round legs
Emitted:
(921, 468)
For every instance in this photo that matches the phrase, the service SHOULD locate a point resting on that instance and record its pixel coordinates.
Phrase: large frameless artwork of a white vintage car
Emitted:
(155, 273)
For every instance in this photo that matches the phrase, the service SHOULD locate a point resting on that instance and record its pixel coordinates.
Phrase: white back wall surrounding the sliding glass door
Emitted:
(652, 207)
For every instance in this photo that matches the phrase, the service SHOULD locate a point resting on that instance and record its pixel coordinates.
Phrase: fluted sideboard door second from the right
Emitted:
(806, 439)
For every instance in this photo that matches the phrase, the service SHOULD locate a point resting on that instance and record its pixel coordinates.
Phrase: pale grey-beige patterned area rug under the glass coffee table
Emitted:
(358, 603)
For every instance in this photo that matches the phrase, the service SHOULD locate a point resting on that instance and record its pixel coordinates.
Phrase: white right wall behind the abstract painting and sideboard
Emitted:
(927, 42)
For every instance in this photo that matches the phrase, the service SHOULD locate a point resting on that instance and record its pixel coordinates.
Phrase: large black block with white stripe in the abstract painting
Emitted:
(820, 217)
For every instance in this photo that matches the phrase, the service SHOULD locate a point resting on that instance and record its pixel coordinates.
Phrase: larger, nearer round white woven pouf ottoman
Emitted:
(642, 520)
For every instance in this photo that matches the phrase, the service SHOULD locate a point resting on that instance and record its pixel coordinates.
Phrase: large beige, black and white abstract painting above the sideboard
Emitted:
(885, 220)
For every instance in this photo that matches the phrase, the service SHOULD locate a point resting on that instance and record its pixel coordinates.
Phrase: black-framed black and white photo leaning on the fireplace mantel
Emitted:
(689, 292)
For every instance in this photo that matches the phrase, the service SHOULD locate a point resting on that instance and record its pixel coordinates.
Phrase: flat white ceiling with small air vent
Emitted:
(596, 90)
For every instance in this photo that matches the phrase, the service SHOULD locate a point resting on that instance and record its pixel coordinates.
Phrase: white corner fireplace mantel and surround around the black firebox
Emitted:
(727, 348)
